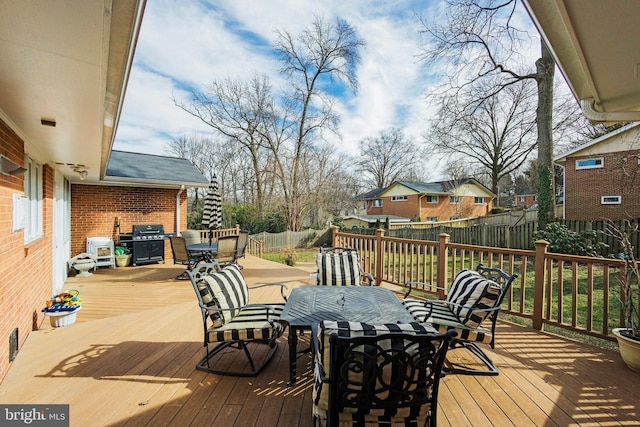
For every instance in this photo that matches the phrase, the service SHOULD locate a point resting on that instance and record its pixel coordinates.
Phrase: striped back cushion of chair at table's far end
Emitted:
(339, 268)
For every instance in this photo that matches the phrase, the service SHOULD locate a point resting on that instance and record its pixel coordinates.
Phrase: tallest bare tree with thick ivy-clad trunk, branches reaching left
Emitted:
(479, 40)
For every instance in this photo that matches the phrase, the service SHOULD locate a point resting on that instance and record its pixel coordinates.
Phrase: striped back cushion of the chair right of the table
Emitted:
(471, 291)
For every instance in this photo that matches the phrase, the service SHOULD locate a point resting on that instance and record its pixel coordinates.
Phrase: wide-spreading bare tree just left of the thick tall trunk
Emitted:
(498, 134)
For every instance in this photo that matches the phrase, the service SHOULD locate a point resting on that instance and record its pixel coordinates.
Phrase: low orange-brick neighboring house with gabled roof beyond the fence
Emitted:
(430, 201)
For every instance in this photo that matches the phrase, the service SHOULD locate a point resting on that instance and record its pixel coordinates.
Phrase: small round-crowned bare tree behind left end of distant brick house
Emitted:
(386, 158)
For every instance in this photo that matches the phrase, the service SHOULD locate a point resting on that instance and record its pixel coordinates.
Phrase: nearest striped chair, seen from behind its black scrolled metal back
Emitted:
(401, 416)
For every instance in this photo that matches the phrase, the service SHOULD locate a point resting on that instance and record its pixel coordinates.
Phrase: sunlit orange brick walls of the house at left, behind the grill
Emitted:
(93, 209)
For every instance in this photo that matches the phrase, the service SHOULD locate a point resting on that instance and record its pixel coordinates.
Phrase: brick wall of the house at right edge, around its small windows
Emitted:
(584, 188)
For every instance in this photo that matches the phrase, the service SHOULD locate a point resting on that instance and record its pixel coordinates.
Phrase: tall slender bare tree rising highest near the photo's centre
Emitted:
(320, 55)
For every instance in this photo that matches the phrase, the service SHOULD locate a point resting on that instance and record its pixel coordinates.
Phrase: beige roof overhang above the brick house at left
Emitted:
(67, 62)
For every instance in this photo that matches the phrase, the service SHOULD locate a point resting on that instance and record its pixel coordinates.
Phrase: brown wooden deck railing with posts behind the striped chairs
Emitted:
(571, 292)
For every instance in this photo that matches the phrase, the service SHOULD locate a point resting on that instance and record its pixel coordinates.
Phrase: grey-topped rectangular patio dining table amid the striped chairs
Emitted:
(308, 305)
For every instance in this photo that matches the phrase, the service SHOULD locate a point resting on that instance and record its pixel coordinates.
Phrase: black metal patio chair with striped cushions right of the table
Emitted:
(474, 297)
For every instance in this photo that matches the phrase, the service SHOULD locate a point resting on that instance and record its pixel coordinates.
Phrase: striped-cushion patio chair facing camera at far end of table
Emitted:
(341, 267)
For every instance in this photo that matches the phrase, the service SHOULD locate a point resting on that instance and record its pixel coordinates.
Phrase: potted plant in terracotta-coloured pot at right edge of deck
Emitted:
(628, 335)
